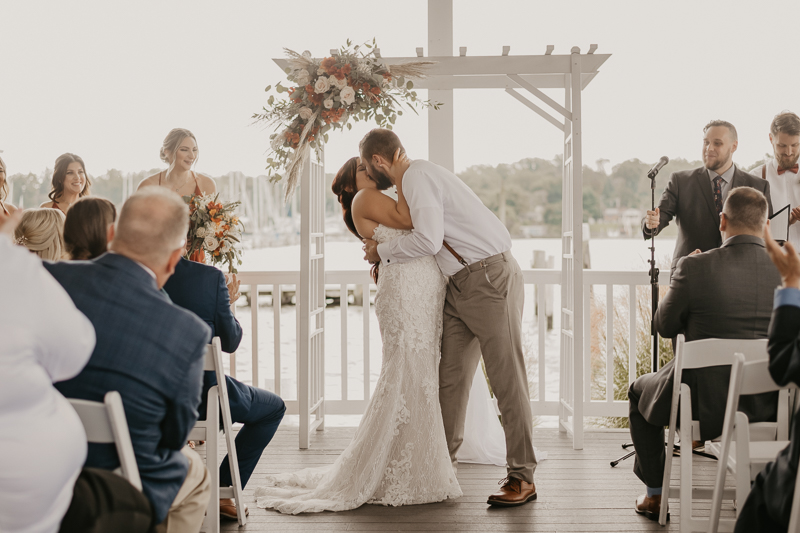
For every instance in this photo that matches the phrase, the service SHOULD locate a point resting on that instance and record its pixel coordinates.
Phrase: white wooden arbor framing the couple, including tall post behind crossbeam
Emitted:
(571, 72)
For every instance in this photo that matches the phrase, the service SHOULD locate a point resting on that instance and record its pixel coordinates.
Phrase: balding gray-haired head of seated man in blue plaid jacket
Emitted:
(151, 226)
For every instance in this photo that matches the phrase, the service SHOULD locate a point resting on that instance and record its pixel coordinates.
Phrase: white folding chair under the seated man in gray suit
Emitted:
(694, 355)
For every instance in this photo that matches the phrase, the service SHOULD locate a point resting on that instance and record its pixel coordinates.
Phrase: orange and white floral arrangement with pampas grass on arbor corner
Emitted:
(353, 84)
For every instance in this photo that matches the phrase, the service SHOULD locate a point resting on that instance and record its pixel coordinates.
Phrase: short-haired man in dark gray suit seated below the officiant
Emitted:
(723, 293)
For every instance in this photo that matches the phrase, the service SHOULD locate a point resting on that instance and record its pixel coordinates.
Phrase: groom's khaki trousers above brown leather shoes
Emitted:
(483, 315)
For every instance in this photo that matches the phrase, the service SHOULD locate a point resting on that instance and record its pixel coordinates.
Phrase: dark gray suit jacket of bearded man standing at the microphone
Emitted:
(689, 199)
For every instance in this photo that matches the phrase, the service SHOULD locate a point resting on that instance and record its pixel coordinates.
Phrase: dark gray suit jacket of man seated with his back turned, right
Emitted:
(724, 293)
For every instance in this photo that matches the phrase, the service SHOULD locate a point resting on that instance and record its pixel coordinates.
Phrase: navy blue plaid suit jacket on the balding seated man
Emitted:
(149, 350)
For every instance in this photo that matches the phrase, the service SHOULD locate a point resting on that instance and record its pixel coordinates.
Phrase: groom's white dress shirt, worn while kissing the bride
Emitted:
(444, 208)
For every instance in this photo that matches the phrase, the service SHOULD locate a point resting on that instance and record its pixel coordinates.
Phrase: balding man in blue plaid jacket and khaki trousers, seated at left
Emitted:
(148, 349)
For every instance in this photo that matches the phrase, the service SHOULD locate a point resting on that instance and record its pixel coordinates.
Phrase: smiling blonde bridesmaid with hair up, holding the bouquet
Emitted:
(180, 152)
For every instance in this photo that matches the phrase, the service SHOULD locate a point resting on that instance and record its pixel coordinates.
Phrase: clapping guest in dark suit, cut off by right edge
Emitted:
(769, 505)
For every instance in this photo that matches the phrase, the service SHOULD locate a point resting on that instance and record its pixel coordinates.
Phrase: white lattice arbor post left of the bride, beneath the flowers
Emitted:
(311, 302)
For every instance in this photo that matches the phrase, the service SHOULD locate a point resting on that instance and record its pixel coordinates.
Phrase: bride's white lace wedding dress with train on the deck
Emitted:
(398, 455)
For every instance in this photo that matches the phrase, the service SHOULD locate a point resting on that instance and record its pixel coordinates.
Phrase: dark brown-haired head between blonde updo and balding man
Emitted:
(86, 227)
